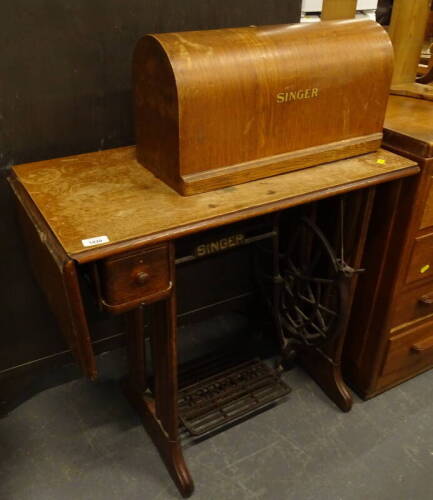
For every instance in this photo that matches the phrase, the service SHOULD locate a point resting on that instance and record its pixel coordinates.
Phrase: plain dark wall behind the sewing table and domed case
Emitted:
(65, 89)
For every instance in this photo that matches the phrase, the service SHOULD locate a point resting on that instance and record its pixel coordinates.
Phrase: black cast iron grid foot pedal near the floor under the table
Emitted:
(230, 395)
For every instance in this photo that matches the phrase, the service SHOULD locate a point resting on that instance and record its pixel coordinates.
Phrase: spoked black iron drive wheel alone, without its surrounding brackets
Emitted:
(314, 290)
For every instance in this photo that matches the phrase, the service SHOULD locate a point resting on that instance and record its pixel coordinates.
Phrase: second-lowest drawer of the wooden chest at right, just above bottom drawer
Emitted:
(412, 305)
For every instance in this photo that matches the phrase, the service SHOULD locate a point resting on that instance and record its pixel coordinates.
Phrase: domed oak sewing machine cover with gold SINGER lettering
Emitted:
(222, 107)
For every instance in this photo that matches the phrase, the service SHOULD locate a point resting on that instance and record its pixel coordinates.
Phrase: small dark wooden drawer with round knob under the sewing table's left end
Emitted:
(134, 277)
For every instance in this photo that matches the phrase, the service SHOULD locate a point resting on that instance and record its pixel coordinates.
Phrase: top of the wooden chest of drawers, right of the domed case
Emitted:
(409, 125)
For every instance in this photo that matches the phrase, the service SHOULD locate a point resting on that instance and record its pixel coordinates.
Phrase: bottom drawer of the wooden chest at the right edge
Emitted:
(408, 353)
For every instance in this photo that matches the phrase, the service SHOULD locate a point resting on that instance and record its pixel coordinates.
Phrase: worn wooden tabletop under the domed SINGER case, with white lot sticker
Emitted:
(109, 194)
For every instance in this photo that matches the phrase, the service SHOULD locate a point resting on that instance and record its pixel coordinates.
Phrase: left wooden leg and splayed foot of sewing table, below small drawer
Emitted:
(159, 413)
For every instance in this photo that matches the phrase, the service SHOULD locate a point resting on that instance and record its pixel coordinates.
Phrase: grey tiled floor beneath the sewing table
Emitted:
(81, 441)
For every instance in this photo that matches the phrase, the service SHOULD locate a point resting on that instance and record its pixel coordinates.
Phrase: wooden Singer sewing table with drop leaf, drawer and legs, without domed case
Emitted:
(105, 213)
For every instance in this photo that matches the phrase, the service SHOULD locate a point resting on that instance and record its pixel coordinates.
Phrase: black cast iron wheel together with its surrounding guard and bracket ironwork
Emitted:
(310, 286)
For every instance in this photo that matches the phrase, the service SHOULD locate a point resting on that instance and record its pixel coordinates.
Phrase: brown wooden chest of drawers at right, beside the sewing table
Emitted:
(392, 319)
